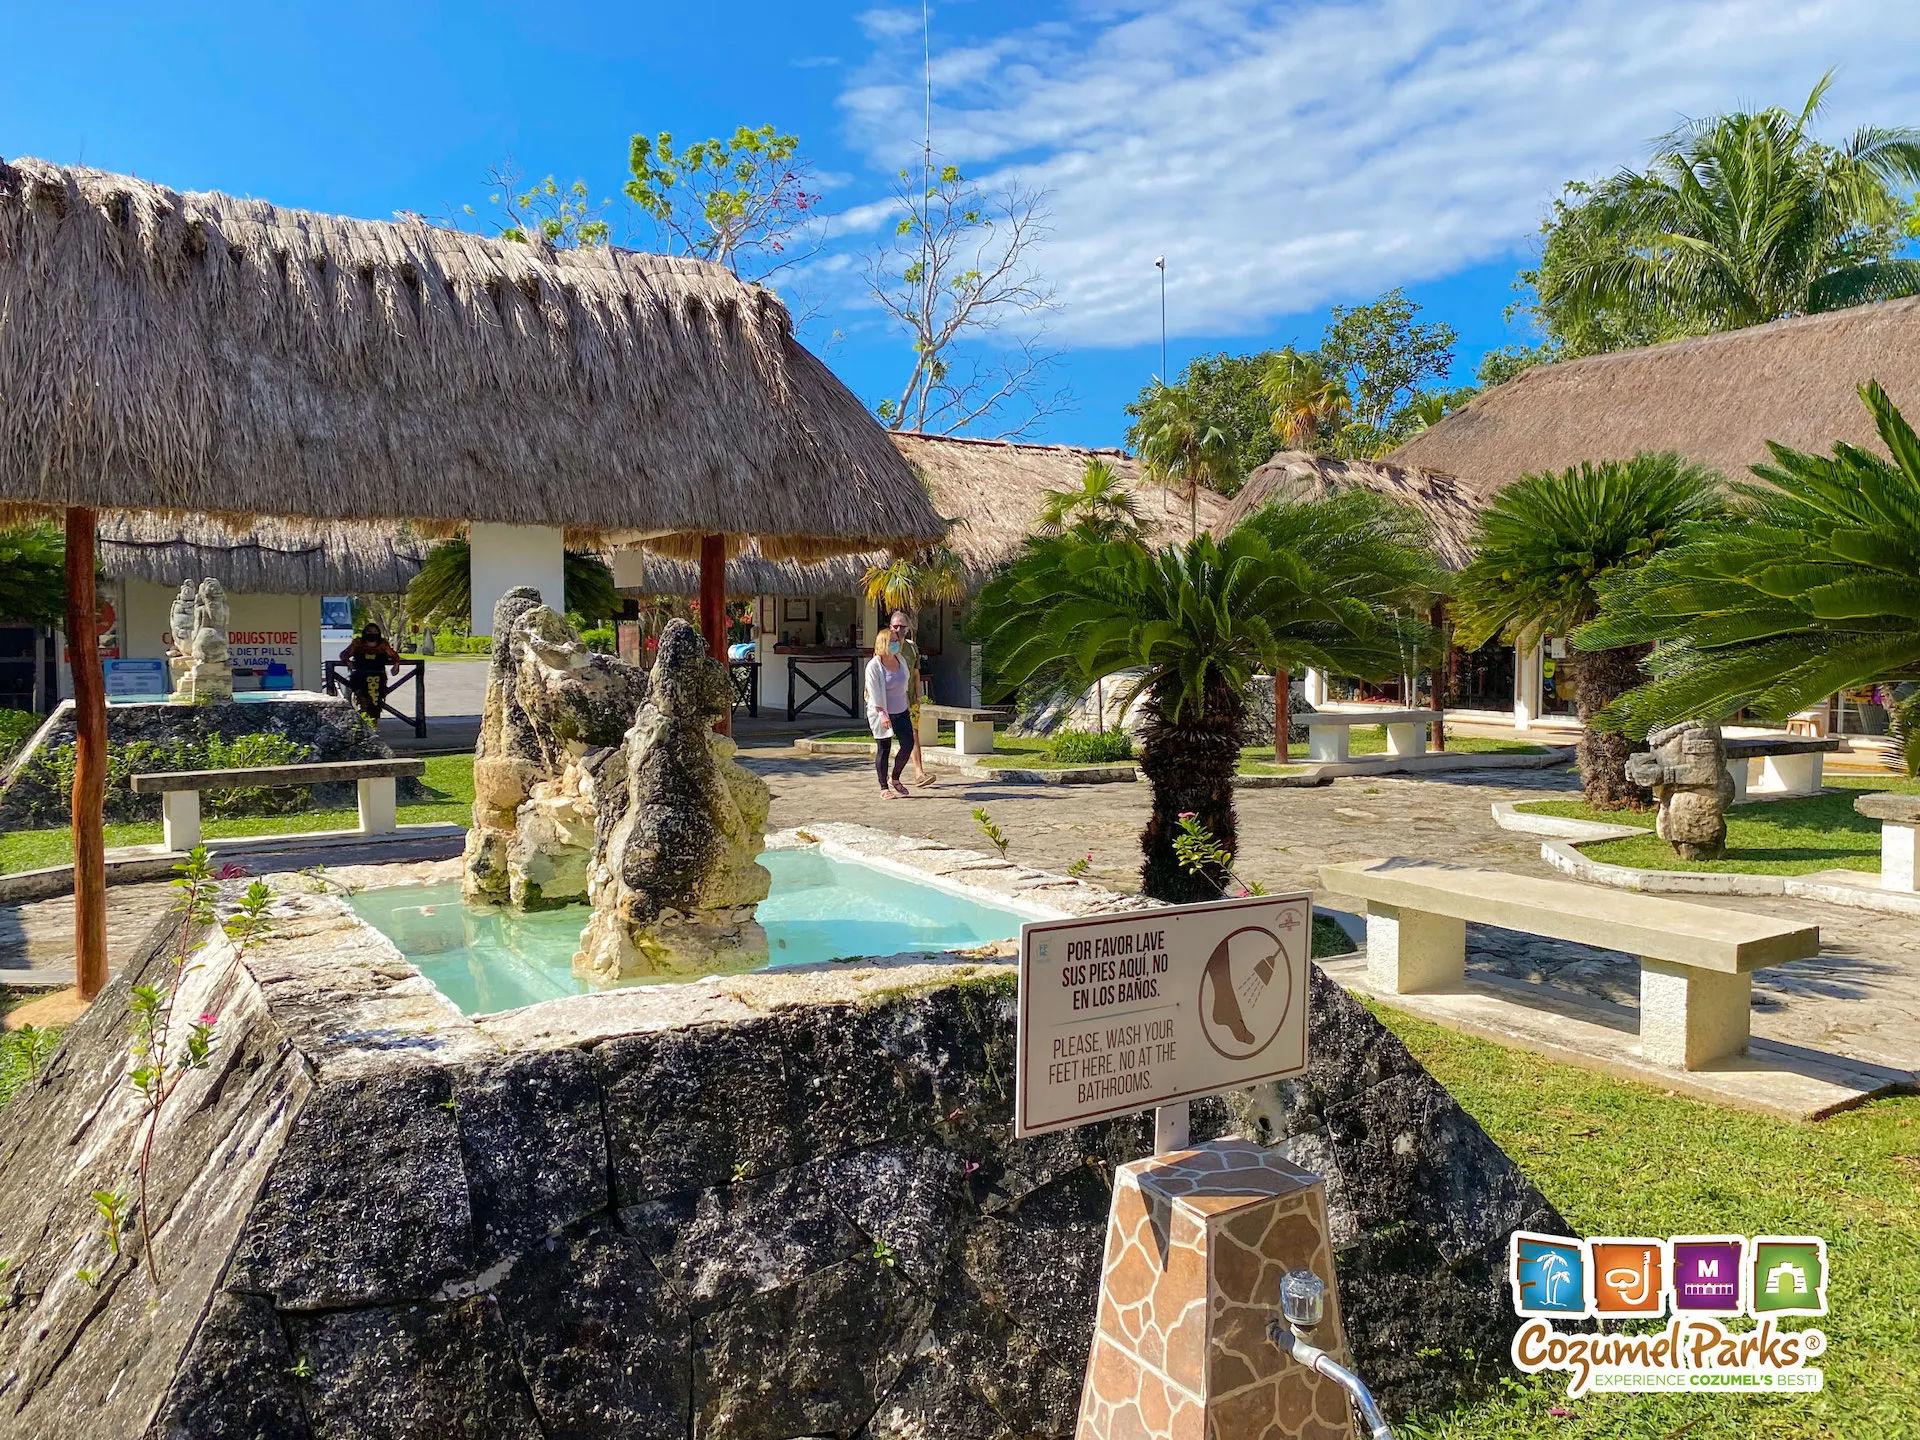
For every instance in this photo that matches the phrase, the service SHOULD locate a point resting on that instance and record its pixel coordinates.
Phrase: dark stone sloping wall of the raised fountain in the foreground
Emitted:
(759, 1207)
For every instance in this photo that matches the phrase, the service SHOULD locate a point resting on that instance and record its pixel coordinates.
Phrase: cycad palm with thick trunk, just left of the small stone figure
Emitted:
(1545, 548)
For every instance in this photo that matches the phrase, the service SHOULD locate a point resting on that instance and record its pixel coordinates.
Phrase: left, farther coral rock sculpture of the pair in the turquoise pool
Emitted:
(554, 715)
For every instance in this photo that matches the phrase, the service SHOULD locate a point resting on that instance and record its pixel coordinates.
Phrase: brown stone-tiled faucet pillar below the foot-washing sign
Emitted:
(1195, 1251)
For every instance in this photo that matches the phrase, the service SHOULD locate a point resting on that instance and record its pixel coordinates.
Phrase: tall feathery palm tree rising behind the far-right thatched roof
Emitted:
(1742, 220)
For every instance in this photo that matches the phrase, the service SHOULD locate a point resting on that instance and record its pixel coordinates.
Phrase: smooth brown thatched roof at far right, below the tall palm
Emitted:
(1716, 400)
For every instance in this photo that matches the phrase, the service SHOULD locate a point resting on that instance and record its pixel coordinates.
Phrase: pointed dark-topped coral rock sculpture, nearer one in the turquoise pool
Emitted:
(677, 878)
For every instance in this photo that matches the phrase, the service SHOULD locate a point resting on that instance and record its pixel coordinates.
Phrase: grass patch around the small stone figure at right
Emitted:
(1764, 838)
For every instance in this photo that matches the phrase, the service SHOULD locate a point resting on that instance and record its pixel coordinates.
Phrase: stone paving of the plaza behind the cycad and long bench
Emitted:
(1860, 997)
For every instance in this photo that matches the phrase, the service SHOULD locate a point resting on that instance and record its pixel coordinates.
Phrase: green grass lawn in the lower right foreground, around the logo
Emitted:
(1621, 1159)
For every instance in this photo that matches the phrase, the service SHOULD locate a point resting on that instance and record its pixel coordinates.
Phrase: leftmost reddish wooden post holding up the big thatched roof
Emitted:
(89, 761)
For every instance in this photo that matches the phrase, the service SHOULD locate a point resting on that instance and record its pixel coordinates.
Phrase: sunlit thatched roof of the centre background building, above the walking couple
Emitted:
(994, 492)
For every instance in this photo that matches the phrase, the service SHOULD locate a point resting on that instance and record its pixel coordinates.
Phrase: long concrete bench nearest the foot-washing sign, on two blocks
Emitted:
(1696, 961)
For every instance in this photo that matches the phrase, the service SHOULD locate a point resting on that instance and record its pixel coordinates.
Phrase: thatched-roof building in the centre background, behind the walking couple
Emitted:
(809, 617)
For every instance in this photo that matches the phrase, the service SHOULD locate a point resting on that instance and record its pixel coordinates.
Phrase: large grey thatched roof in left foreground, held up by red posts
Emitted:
(206, 354)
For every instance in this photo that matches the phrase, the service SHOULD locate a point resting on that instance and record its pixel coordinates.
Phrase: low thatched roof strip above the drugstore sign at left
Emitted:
(270, 558)
